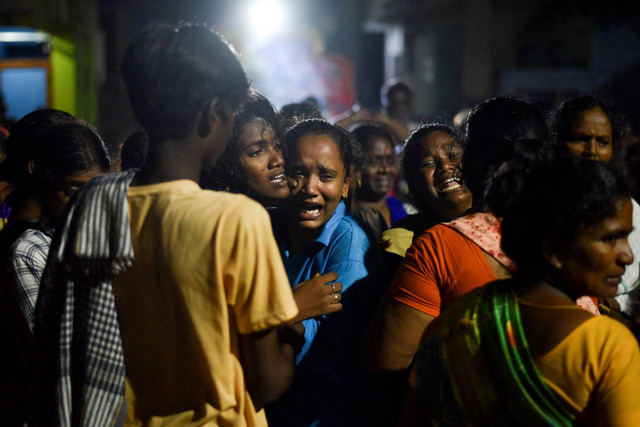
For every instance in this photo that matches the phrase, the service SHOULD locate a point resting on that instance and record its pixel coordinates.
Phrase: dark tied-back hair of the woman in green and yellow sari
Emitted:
(557, 199)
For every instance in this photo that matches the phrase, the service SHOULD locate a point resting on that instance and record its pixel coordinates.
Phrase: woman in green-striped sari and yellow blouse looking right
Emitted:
(520, 350)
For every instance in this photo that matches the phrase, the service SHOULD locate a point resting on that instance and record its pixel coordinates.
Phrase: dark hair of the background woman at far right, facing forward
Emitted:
(561, 120)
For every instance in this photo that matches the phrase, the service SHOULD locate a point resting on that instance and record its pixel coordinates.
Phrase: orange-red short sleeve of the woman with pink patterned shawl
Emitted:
(441, 265)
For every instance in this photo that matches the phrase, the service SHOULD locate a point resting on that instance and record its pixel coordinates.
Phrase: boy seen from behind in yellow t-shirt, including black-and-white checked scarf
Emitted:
(202, 300)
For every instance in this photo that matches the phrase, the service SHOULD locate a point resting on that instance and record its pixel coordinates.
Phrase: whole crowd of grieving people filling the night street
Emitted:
(244, 265)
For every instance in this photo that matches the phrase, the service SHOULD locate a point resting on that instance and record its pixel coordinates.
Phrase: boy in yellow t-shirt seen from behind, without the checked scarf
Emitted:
(201, 307)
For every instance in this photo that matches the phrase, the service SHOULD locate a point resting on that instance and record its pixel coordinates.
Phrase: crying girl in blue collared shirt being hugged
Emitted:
(319, 236)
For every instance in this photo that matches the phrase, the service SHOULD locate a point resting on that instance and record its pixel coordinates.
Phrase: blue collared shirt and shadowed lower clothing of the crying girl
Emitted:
(327, 387)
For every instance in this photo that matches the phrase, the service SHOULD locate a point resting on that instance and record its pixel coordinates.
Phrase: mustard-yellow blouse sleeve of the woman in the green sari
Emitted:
(595, 371)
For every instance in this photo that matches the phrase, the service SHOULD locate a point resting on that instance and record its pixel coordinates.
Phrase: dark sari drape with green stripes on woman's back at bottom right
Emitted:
(476, 369)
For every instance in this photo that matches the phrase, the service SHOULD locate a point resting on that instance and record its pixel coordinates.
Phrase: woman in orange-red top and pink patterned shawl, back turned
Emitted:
(451, 259)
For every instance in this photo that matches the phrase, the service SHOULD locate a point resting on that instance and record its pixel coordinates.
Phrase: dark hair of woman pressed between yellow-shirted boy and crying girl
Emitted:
(227, 175)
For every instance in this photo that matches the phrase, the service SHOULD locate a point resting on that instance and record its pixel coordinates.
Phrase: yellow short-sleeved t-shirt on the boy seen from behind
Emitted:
(207, 269)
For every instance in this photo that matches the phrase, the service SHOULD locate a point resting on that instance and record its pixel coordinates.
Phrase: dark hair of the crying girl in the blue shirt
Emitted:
(347, 146)
